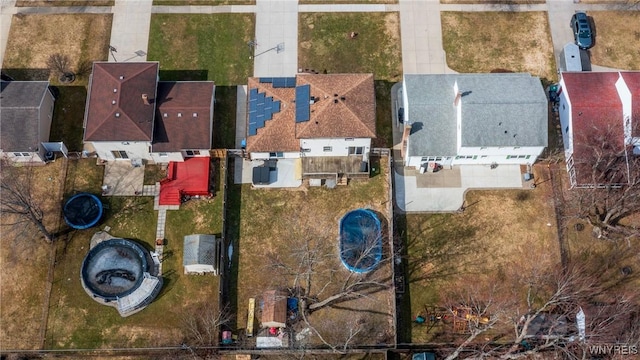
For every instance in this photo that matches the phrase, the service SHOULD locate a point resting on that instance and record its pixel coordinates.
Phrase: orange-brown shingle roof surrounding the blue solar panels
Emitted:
(331, 116)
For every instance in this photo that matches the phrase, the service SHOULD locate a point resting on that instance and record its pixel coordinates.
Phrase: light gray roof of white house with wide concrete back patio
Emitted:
(497, 110)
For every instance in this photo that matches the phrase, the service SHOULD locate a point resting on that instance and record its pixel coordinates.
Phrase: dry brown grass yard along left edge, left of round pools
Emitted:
(24, 260)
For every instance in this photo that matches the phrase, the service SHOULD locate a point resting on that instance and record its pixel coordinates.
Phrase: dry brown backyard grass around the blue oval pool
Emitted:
(276, 221)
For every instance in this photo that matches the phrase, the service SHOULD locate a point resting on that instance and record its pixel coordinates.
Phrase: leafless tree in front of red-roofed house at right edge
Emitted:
(607, 173)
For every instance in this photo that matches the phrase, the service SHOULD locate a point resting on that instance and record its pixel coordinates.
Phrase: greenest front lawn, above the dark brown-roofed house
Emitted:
(202, 47)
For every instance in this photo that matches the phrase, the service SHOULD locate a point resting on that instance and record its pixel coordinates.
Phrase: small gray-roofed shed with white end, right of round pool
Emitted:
(201, 254)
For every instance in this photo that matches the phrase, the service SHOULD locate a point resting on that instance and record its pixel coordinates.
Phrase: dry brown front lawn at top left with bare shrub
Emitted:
(82, 37)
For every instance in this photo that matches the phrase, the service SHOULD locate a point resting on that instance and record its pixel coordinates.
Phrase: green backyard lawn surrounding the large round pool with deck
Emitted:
(77, 321)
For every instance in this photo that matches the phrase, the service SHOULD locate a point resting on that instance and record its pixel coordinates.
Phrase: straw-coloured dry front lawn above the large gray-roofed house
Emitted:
(500, 42)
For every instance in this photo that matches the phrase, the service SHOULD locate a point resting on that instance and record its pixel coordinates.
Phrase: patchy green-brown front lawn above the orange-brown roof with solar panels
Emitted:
(324, 44)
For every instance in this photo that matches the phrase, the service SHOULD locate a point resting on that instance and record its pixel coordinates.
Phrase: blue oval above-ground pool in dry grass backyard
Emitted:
(360, 240)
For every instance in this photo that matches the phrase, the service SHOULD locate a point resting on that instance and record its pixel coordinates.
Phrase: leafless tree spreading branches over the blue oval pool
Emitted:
(312, 270)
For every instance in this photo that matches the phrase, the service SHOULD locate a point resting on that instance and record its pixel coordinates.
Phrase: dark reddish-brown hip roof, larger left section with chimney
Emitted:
(115, 108)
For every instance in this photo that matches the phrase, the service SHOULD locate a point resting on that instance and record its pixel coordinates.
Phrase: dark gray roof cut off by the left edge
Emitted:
(20, 103)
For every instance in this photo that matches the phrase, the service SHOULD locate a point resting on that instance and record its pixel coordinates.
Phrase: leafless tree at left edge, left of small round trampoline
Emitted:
(21, 211)
